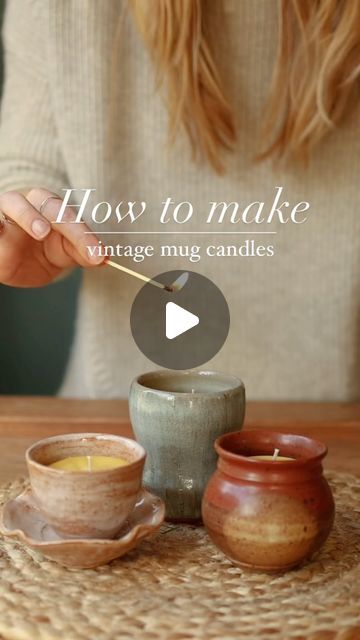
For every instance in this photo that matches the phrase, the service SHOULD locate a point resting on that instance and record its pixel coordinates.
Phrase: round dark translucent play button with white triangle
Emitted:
(180, 329)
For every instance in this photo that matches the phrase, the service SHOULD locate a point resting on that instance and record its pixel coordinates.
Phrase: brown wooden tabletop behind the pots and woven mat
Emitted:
(26, 419)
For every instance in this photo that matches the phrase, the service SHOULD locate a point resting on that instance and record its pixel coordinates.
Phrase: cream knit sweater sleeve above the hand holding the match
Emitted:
(29, 151)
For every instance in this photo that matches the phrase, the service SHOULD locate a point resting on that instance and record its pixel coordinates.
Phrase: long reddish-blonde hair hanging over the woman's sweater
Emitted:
(316, 68)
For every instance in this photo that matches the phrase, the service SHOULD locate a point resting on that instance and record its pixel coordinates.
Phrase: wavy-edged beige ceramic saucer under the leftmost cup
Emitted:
(21, 519)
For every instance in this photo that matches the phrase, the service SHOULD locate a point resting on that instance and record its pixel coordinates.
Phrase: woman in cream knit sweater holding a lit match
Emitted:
(82, 108)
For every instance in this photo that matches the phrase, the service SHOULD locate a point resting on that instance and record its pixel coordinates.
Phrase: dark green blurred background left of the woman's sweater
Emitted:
(36, 328)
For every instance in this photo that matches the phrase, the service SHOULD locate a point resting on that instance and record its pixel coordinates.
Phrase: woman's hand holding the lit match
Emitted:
(35, 250)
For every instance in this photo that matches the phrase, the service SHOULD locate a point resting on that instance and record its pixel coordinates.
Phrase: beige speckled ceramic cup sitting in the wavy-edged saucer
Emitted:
(82, 504)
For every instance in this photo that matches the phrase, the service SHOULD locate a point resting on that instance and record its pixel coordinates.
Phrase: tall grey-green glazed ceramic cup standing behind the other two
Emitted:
(177, 416)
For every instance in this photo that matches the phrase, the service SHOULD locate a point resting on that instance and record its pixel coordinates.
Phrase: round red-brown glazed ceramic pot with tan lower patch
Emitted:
(268, 515)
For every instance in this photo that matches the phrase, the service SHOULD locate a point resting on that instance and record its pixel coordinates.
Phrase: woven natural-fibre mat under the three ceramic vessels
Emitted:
(177, 586)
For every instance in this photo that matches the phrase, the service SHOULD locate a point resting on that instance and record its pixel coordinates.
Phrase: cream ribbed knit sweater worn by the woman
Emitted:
(295, 317)
